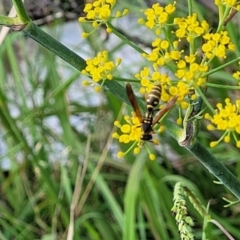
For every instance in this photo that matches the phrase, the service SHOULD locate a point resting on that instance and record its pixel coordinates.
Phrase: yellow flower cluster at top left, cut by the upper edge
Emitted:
(100, 12)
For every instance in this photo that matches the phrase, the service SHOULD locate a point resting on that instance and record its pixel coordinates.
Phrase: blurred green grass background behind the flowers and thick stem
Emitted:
(63, 180)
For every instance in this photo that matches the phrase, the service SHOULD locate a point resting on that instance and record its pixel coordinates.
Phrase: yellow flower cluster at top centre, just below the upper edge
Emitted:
(157, 16)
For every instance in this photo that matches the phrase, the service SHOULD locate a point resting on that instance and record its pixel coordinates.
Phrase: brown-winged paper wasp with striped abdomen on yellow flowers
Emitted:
(147, 121)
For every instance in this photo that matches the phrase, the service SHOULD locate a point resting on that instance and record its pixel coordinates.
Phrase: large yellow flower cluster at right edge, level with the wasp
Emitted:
(227, 119)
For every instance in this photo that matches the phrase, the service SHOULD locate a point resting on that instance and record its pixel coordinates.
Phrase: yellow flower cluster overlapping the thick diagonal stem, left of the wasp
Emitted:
(99, 68)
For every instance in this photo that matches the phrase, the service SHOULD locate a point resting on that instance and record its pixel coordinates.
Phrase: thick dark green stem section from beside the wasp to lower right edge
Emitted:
(208, 160)
